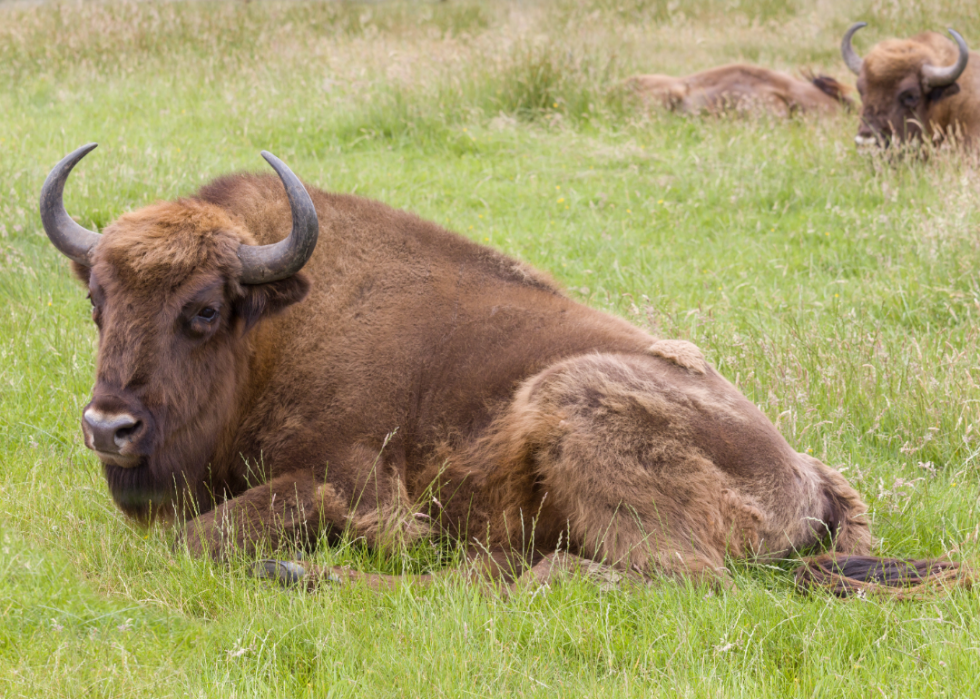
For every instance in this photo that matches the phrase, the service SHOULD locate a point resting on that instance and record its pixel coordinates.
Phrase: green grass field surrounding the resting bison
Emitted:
(839, 290)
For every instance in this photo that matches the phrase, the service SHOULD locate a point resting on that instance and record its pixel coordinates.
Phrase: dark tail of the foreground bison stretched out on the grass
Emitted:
(902, 579)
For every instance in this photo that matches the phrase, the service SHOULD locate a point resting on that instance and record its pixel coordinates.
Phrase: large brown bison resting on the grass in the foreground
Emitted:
(407, 383)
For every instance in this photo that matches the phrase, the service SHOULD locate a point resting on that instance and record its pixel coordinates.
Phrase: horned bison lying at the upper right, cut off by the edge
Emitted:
(923, 87)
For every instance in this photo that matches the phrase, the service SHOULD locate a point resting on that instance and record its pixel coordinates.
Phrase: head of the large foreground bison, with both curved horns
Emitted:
(175, 288)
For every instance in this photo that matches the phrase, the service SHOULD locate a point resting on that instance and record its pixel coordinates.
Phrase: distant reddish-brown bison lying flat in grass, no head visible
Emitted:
(741, 88)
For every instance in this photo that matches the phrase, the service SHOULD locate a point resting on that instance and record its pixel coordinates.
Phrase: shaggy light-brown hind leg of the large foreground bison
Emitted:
(617, 469)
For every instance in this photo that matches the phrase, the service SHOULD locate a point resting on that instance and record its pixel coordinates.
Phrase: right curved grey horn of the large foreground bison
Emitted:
(268, 263)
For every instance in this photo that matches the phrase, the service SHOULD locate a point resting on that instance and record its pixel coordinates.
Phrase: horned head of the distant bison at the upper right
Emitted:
(900, 81)
